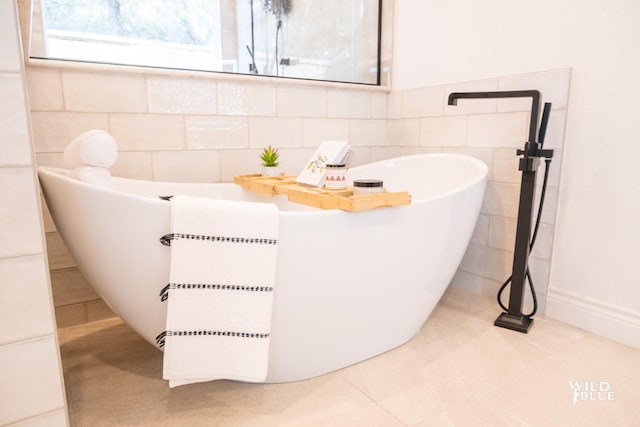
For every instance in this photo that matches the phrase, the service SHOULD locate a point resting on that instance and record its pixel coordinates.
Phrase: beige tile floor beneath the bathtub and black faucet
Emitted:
(458, 371)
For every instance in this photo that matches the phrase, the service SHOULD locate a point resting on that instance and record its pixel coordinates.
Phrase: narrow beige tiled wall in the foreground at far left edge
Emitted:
(31, 389)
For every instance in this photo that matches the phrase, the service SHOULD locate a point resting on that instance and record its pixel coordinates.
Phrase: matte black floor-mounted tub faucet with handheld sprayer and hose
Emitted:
(513, 317)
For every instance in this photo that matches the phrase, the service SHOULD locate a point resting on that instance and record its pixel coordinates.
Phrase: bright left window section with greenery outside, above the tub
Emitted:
(166, 33)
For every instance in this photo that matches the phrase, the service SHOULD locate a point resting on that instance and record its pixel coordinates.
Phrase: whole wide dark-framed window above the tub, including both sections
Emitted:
(315, 39)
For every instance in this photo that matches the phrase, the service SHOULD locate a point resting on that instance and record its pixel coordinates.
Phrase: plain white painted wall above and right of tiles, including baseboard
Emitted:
(593, 282)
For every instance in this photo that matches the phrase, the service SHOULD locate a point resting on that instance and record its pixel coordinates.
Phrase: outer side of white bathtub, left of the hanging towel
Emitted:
(114, 239)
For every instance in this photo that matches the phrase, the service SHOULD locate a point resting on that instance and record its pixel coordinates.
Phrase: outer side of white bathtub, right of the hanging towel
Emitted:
(359, 284)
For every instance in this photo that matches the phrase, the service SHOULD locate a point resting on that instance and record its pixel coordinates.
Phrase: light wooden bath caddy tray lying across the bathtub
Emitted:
(320, 197)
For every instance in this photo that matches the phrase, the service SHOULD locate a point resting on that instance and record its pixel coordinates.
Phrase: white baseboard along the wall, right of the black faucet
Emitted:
(617, 323)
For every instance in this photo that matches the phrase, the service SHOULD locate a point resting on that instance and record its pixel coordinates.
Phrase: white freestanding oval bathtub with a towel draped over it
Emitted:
(349, 285)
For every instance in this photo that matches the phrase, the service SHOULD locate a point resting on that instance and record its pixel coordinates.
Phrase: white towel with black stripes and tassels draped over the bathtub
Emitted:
(222, 276)
